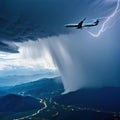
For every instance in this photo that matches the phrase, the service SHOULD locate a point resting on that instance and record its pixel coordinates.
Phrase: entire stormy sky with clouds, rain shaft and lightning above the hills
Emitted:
(33, 38)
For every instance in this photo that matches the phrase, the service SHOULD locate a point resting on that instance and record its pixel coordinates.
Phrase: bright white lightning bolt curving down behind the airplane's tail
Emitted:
(104, 25)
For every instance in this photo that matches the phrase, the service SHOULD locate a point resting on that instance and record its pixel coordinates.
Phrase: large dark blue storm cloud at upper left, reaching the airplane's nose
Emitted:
(21, 20)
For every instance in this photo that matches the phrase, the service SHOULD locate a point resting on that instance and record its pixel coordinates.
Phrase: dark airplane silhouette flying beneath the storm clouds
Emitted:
(80, 24)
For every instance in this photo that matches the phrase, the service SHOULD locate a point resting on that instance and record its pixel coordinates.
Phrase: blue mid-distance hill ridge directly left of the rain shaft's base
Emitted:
(47, 87)
